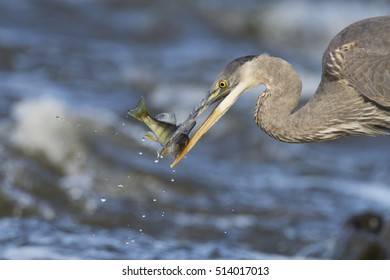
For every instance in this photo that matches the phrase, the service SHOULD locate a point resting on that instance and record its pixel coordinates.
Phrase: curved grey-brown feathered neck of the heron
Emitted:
(276, 112)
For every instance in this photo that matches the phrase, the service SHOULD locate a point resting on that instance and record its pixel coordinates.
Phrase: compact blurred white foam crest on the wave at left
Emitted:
(42, 127)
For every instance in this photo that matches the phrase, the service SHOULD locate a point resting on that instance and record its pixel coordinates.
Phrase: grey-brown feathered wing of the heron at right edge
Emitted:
(360, 55)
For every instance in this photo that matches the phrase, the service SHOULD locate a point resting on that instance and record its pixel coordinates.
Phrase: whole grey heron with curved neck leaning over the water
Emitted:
(353, 97)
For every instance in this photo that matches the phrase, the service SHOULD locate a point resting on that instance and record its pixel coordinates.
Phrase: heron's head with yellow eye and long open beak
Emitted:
(234, 79)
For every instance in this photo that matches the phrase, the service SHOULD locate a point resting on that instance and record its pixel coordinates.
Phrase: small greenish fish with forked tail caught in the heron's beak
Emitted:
(162, 126)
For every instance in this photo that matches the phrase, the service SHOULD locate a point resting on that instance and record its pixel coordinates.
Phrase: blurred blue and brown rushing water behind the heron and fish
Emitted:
(77, 181)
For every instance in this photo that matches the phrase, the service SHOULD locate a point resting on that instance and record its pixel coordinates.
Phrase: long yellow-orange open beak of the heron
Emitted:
(229, 97)
